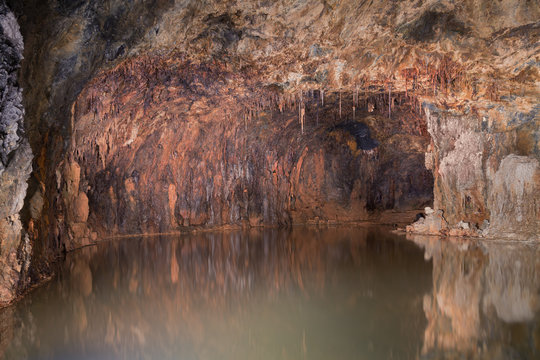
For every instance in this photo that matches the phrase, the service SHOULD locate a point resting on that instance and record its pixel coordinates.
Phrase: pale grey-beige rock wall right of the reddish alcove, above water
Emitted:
(486, 169)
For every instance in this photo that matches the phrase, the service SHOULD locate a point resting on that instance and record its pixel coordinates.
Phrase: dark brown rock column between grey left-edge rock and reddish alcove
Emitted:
(66, 43)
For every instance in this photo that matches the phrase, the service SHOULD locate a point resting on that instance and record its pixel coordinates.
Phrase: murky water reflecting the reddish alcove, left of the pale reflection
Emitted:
(301, 294)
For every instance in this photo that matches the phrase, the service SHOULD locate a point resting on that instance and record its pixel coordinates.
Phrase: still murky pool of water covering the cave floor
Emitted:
(305, 293)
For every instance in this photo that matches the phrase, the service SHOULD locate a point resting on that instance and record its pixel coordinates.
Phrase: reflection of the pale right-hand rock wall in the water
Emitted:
(485, 299)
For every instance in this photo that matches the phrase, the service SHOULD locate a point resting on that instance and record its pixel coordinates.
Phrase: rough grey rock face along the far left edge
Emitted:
(15, 161)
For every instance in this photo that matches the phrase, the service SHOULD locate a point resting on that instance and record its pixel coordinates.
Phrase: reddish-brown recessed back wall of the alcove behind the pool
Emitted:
(173, 144)
